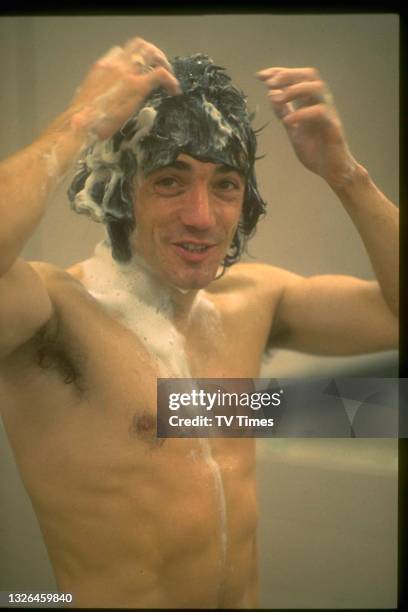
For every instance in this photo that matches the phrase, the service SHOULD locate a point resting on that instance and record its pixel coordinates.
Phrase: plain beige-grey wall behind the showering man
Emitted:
(328, 508)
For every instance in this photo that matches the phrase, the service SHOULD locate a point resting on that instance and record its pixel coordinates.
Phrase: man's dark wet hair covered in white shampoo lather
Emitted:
(209, 121)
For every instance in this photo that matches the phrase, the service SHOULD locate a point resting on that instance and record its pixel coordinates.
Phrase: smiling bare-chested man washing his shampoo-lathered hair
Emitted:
(130, 521)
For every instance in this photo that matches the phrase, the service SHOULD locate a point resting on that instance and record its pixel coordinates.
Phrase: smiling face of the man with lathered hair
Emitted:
(186, 216)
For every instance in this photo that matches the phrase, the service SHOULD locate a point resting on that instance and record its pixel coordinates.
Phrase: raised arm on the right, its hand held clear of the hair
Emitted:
(334, 314)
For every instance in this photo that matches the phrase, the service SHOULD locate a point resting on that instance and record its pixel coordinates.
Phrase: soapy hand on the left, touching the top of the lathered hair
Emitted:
(117, 84)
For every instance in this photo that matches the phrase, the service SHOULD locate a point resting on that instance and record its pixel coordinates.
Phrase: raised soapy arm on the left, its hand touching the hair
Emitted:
(111, 92)
